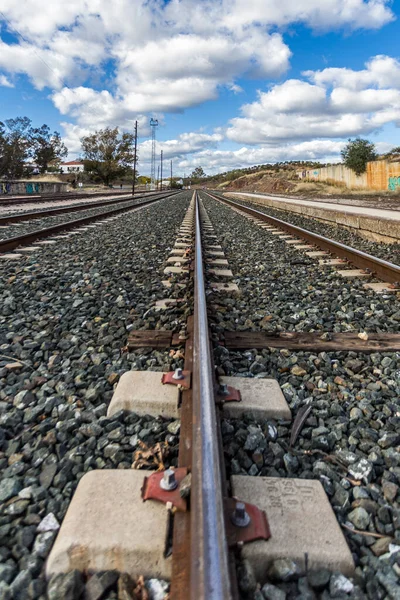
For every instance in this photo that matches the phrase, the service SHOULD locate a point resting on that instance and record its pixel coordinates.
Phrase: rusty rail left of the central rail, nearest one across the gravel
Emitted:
(28, 238)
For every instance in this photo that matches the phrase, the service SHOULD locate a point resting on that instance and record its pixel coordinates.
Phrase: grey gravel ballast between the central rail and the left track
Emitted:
(67, 310)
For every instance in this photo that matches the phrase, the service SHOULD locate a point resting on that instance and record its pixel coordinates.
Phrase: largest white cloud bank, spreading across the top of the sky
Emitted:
(171, 46)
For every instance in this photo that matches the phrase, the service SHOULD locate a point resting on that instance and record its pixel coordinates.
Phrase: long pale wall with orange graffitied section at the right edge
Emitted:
(380, 175)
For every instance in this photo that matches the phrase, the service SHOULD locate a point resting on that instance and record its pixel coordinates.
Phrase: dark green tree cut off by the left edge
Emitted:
(15, 147)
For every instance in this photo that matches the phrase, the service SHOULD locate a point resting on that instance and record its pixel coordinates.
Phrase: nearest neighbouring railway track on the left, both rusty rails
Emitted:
(11, 243)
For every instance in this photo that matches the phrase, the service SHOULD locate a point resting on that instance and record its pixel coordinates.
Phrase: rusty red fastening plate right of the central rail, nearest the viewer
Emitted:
(257, 529)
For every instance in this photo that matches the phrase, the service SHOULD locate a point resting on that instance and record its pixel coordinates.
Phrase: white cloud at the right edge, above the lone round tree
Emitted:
(338, 103)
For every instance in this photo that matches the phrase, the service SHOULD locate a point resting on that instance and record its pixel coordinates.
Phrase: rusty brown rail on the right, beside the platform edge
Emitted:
(382, 269)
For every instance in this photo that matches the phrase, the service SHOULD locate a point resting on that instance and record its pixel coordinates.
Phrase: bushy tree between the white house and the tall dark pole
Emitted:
(108, 154)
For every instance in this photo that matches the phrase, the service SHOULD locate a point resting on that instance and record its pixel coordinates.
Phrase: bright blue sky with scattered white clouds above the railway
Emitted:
(232, 82)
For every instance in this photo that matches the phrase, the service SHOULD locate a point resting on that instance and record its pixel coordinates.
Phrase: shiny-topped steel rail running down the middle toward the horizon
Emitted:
(210, 574)
